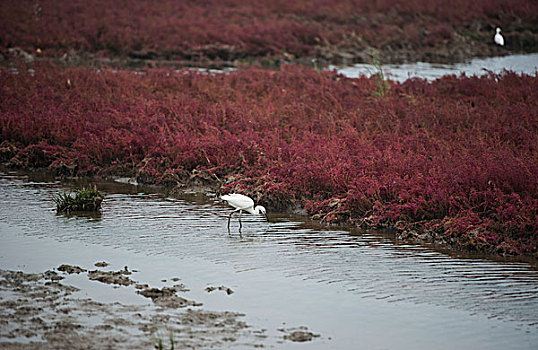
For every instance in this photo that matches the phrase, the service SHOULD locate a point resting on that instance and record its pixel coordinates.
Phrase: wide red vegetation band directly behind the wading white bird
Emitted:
(454, 160)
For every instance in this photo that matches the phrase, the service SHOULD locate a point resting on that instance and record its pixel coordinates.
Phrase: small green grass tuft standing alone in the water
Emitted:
(87, 199)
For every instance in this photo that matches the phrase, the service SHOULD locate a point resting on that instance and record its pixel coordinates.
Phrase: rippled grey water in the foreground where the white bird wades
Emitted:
(353, 290)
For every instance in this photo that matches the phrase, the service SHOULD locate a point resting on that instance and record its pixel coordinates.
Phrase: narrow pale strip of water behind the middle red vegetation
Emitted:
(527, 64)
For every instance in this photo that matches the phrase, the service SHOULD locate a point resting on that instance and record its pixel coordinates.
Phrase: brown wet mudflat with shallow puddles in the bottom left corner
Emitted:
(39, 312)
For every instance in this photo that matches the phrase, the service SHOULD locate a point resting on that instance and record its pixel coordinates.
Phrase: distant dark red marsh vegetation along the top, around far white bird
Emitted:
(239, 30)
